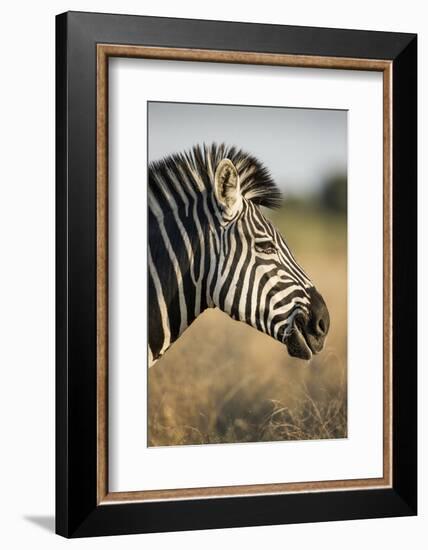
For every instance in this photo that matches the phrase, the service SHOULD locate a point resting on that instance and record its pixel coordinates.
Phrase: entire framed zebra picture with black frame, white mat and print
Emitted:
(236, 274)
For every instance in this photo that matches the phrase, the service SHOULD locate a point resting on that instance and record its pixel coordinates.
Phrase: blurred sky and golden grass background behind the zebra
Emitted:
(223, 381)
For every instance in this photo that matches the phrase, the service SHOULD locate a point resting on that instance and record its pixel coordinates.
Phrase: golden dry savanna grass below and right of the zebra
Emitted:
(225, 382)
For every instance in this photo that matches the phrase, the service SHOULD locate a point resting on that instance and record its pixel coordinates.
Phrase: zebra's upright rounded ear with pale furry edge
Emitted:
(227, 188)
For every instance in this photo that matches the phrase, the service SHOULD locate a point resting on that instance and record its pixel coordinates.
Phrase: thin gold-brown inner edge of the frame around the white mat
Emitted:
(104, 51)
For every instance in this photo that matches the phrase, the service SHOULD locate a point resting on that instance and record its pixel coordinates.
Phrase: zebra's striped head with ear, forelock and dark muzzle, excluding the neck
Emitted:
(257, 279)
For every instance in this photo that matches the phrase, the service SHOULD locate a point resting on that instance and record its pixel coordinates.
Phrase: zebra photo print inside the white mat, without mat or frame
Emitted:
(247, 274)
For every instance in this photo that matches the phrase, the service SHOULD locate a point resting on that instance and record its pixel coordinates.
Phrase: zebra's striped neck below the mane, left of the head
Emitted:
(180, 269)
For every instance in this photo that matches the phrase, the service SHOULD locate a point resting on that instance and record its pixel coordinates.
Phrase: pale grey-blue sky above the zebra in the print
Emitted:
(300, 147)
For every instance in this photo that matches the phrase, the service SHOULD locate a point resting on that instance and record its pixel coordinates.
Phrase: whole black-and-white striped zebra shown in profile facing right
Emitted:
(210, 245)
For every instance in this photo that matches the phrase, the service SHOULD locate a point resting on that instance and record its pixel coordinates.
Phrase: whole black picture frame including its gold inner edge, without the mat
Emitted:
(84, 44)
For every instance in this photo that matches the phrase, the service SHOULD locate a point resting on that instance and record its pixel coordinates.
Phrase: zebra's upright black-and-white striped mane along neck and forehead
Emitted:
(257, 184)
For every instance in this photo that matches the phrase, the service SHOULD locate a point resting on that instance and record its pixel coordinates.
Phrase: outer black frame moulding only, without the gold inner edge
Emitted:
(77, 513)
